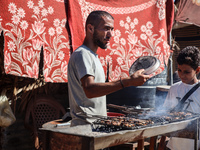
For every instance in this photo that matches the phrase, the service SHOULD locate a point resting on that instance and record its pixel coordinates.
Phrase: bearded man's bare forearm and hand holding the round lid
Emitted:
(93, 89)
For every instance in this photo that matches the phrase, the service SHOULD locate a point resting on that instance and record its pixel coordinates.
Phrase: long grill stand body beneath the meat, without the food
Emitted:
(83, 138)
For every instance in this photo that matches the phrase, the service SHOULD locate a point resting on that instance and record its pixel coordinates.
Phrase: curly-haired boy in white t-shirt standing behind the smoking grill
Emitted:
(188, 67)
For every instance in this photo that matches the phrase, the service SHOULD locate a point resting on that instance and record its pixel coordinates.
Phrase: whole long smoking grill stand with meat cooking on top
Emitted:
(111, 131)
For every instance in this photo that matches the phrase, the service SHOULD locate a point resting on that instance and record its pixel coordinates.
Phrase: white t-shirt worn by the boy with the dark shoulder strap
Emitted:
(192, 104)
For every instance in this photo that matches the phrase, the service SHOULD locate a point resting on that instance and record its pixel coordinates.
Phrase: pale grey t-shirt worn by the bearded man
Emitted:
(84, 61)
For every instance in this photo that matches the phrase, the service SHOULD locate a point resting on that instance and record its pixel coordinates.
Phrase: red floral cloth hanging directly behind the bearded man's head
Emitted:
(141, 28)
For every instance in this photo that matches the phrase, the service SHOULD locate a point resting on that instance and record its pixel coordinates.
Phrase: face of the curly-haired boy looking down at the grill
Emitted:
(187, 74)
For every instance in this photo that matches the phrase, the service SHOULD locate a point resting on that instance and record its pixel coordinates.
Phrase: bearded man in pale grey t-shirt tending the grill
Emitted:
(86, 78)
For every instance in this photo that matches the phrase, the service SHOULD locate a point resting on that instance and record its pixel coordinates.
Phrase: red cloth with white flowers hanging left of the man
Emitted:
(28, 25)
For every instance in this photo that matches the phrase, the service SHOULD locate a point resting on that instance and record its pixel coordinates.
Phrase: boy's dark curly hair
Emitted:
(190, 55)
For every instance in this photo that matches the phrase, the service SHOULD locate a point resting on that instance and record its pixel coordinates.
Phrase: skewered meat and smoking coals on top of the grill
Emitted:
(139, 120)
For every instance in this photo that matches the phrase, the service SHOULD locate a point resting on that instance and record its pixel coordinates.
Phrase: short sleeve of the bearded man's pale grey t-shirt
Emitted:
(84, 65)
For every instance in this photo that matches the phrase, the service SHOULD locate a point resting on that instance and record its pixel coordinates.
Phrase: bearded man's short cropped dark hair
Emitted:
(95, 17)
